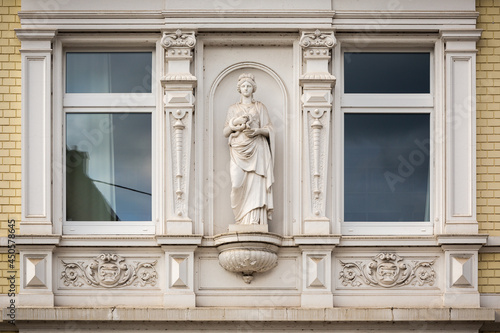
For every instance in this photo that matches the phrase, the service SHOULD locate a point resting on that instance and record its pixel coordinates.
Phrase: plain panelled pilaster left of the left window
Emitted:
(36, 151)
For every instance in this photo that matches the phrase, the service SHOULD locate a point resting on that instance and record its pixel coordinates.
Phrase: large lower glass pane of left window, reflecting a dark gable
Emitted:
(108, 167)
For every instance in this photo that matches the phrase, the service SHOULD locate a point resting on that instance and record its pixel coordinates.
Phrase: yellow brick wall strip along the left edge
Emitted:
(10, 127)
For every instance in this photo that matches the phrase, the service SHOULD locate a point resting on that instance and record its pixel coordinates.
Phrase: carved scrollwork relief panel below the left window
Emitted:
(109, 271)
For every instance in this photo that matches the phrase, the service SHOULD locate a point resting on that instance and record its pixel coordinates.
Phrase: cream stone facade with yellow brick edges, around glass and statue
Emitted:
(189, 267)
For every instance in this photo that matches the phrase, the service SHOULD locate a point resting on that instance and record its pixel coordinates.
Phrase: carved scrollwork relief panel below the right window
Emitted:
(388, 270)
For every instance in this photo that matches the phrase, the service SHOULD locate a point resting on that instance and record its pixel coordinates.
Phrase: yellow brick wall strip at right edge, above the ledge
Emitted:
(488, 117)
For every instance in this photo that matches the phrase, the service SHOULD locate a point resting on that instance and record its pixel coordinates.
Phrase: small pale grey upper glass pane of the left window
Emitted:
(108, 72)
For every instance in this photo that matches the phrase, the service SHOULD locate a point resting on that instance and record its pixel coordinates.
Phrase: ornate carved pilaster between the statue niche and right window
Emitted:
(317, 83)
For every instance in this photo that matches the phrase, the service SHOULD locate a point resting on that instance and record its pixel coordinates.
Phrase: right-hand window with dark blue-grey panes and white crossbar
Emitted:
(387, 106)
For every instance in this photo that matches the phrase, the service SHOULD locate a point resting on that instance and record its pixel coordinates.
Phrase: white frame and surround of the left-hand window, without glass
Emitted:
(65, 103)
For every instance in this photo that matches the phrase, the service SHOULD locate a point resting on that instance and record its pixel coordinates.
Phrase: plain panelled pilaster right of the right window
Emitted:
(460, 79)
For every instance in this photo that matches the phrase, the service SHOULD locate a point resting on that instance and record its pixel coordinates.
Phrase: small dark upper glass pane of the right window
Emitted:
(386, 73)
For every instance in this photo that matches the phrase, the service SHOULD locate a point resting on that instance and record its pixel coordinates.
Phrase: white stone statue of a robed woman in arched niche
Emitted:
(251, 145)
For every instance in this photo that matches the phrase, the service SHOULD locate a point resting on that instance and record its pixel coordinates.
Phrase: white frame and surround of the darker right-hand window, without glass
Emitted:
(389, 103)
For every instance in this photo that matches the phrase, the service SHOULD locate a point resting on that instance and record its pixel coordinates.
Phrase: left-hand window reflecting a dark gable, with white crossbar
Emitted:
(108, 105)
